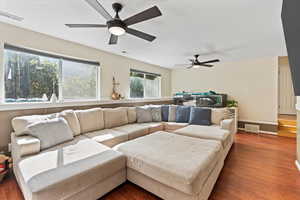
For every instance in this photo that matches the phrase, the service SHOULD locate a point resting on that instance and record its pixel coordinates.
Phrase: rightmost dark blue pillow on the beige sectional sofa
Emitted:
(200, 116)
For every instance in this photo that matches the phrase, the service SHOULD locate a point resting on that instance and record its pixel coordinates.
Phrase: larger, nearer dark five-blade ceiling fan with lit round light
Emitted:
(117, 26)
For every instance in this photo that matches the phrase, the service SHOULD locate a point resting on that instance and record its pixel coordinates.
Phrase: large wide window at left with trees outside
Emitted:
(31, 76)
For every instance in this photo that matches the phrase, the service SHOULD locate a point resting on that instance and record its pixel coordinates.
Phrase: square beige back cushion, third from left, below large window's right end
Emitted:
(90, 120)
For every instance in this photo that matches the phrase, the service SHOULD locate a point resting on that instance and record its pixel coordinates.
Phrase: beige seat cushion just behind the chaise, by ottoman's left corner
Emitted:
(108, 137)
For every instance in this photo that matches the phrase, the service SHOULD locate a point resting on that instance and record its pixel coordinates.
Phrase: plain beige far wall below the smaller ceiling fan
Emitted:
(253, 83)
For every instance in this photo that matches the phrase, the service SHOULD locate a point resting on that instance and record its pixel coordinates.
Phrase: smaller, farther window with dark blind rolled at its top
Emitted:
(144, 84)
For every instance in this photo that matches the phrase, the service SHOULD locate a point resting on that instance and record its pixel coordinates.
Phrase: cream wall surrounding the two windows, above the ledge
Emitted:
(111, 65)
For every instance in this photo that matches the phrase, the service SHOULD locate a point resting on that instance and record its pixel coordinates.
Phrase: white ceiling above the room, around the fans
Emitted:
(230, 30)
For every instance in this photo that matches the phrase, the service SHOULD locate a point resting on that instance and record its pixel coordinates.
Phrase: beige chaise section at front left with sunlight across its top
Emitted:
(69, 169)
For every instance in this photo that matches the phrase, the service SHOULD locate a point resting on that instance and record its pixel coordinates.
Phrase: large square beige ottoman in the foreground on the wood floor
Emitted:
(173, 166)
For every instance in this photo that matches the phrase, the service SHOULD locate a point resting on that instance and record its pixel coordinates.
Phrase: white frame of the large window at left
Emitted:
(60, 74)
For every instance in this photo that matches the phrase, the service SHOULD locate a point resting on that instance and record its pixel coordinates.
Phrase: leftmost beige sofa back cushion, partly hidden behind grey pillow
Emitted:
(20, 124)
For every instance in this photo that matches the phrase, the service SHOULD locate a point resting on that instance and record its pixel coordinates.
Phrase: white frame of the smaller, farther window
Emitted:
(144, 78)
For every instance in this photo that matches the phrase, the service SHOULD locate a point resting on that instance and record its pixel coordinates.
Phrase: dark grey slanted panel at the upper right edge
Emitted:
(291, 25)
